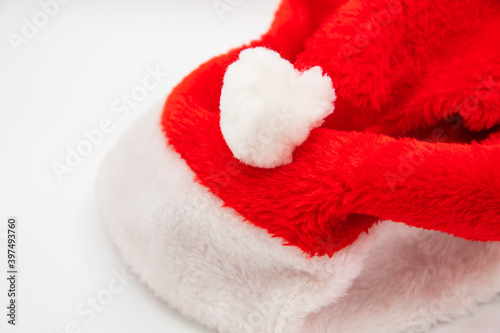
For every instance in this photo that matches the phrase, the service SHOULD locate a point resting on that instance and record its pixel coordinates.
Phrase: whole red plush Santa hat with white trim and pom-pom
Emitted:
(340, 174)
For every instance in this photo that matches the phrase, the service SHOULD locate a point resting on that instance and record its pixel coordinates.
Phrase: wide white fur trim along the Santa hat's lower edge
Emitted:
(227, 274)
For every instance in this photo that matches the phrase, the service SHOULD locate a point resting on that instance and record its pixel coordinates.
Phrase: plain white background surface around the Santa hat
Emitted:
(63, 80)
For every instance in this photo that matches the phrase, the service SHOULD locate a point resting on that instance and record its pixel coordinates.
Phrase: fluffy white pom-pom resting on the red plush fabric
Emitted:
(268, 107)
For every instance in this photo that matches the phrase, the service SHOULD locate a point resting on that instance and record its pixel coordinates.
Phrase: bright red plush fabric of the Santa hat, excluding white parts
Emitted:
(414, 137)
